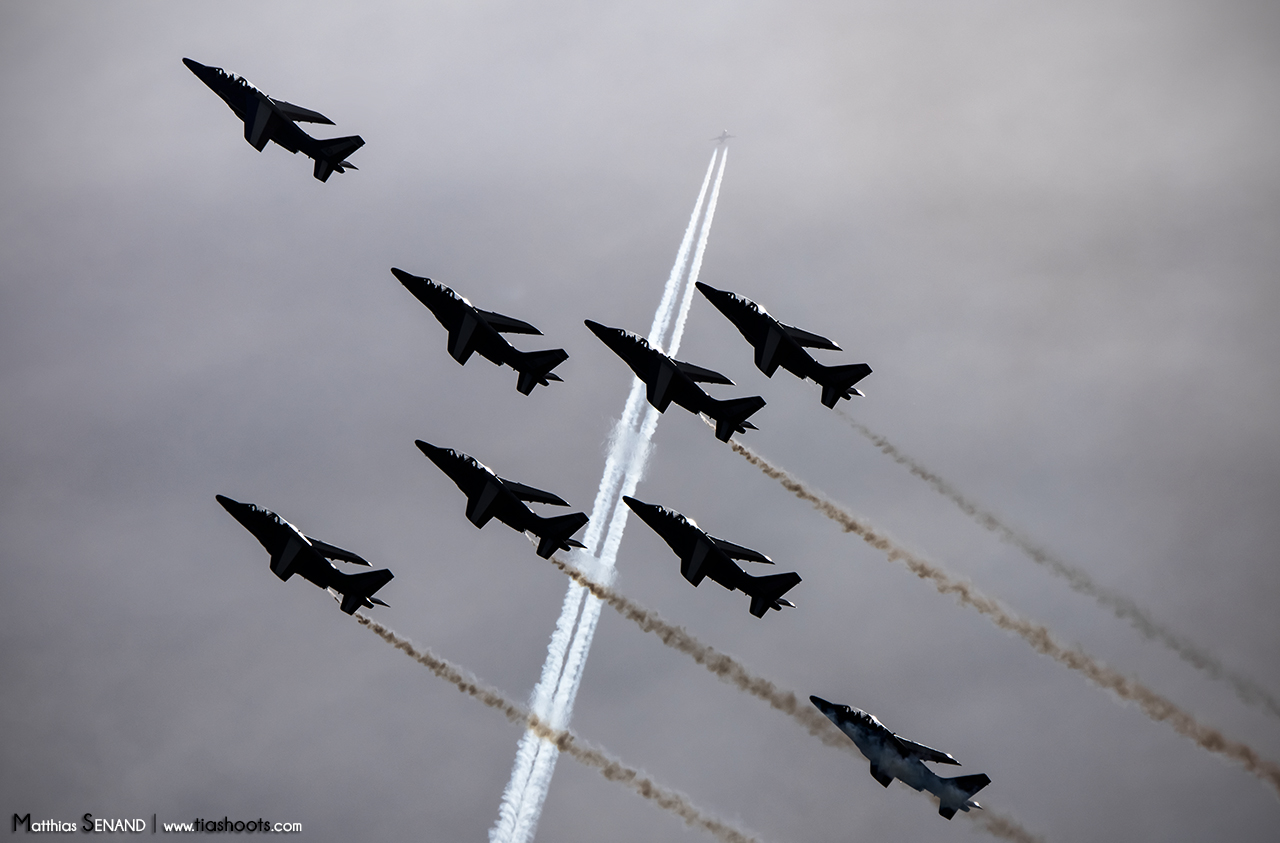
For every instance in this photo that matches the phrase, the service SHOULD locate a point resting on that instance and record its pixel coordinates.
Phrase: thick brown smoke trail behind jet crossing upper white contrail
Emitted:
(1154, 705)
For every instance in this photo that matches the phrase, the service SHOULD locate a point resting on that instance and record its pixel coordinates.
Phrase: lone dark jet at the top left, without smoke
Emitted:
(267, 120)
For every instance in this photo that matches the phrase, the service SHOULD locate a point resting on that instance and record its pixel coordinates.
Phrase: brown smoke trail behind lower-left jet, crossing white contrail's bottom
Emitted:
(565, 741)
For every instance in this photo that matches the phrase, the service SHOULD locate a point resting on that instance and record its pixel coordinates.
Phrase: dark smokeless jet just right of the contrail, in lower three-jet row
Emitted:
(703, 556)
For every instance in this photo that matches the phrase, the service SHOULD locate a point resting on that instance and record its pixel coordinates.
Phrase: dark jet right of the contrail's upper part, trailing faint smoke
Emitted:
(778, 345)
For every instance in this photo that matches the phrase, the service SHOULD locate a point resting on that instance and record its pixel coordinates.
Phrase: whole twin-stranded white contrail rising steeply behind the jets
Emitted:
(536, 758)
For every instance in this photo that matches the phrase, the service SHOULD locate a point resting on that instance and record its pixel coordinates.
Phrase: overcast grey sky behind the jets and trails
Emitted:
(1053, 233)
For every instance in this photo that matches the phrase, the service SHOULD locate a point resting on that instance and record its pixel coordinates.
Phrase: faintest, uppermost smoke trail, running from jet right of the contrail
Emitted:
(1078, 580)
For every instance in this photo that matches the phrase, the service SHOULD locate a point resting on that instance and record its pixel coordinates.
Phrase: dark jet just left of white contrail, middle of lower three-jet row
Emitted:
(492, 497)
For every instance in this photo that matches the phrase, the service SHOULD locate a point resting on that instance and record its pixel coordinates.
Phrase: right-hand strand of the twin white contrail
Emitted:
(572, 677)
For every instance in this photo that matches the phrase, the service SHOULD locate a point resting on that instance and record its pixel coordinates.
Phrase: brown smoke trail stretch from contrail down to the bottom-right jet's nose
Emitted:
(725, 667)
